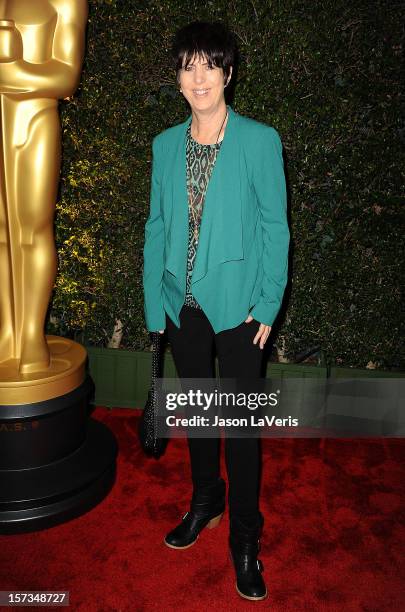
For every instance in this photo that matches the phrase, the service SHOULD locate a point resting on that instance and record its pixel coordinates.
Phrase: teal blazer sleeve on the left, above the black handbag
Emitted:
(154, 250)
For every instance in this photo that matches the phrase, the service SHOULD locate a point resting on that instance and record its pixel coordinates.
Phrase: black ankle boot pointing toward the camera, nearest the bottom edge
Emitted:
(244, 547)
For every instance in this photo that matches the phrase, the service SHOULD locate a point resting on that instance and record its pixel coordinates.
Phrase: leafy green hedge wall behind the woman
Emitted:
(326, 76)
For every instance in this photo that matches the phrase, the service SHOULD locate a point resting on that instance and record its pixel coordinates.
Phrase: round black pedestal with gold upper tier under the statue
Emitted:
(55, 462)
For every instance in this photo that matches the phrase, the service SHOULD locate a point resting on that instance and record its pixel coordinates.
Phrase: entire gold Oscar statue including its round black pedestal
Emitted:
(56, 462)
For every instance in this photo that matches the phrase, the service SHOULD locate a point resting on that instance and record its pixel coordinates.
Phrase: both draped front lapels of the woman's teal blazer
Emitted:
(220, 237)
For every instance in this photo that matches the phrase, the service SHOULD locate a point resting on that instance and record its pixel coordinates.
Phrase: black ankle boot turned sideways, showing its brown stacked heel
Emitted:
(207, 507)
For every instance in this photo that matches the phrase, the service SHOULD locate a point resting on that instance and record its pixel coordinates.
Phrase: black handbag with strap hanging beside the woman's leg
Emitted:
(152, 444)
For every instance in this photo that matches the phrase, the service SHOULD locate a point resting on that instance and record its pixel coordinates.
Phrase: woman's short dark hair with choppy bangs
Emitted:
(212, 40)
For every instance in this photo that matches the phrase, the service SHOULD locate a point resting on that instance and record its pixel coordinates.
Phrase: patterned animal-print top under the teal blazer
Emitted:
(200, 162)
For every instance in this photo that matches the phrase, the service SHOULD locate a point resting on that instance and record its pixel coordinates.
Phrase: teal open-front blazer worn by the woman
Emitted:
(241, 262)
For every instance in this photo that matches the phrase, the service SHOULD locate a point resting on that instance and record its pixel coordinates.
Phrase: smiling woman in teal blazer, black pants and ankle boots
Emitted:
(227, 292)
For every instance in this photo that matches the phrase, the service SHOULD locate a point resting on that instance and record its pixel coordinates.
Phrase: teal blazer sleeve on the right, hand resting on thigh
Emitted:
(270, 187)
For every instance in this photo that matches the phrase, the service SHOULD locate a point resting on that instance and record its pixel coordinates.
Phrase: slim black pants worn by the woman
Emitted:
(192, 348)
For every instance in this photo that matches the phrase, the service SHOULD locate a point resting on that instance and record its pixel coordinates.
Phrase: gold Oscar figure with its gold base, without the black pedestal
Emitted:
(41, 54)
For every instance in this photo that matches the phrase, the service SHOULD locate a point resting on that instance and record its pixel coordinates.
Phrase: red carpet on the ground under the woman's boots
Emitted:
(334, 535)
